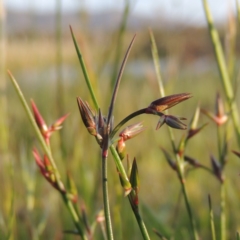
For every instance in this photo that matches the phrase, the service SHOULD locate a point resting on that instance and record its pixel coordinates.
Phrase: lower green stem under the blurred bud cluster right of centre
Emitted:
(180, 164)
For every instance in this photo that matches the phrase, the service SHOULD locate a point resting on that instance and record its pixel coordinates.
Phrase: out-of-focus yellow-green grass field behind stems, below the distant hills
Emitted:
(32, 63)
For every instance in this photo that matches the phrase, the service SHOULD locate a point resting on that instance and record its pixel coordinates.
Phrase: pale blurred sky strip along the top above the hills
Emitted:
(188, 11)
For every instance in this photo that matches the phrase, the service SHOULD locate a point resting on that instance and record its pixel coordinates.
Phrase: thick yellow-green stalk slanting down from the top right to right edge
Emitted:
(222, 66)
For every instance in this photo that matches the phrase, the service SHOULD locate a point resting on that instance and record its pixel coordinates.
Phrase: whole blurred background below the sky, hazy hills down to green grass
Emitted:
(37, 48)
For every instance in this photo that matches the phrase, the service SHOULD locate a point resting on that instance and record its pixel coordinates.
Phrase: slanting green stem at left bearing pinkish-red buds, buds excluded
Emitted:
(47, 150)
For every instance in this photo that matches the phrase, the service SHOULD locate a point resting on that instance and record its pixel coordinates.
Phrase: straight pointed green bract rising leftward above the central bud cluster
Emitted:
(89, 85)
